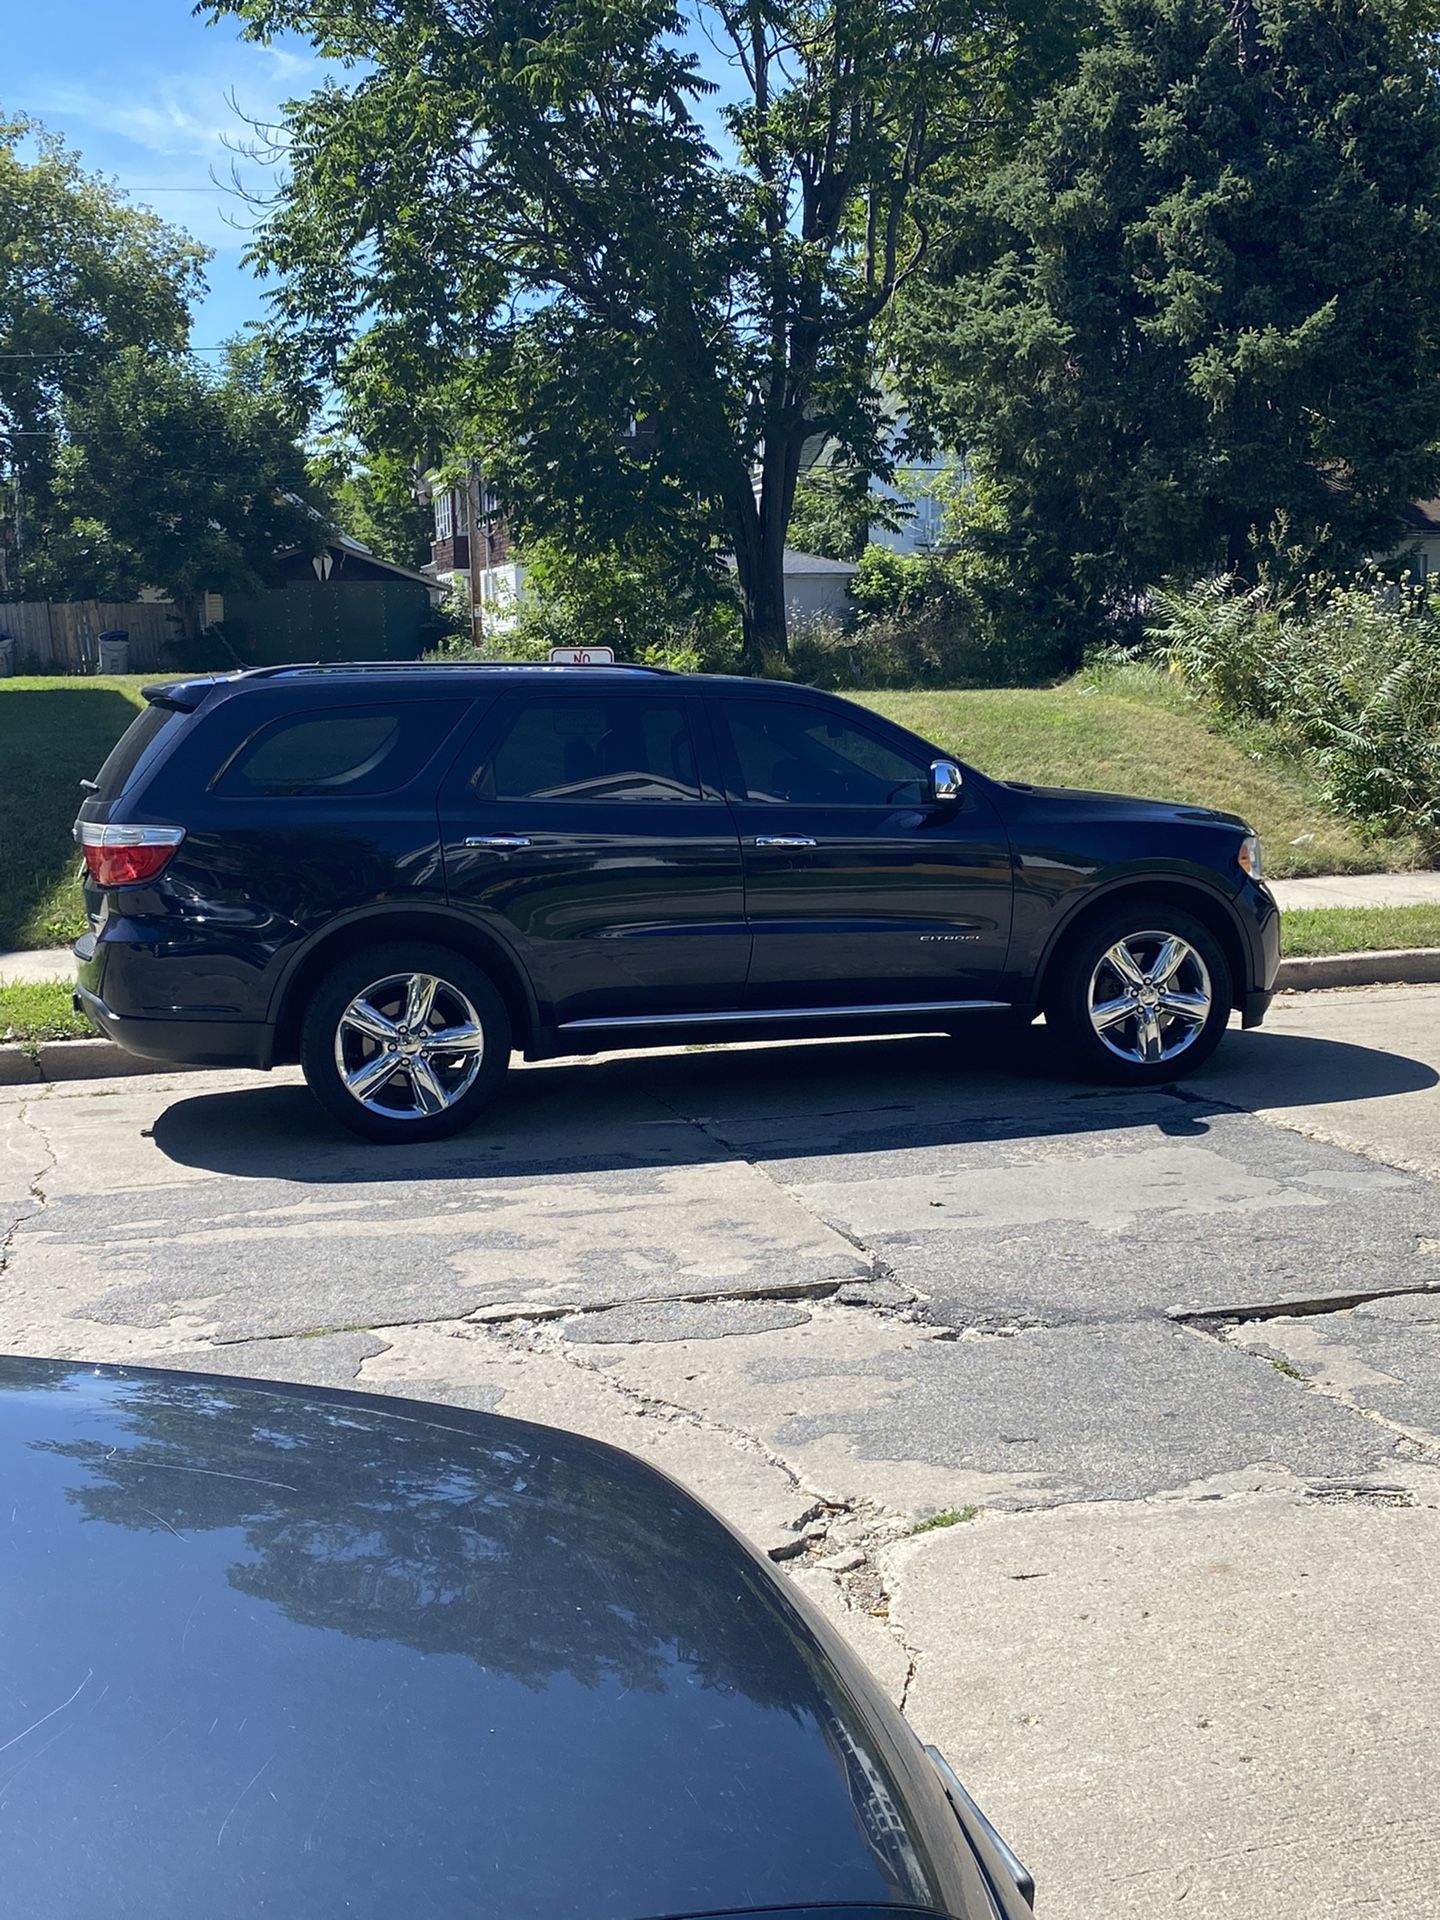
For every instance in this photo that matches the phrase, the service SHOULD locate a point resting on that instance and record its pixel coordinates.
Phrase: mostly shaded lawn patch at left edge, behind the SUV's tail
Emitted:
(55, 734)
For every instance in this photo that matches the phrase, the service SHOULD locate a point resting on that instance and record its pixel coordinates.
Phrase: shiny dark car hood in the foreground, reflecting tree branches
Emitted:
(300, 1654)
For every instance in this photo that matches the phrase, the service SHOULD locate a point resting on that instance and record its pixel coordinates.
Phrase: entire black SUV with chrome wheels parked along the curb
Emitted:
(398, 875)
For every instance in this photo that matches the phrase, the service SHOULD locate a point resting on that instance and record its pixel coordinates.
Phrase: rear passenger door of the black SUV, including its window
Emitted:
(585, 828)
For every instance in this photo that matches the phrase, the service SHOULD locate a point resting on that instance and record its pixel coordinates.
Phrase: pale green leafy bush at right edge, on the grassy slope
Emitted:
(1349, 675)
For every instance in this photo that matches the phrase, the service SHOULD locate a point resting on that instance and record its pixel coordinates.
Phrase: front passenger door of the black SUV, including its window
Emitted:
(859, 888)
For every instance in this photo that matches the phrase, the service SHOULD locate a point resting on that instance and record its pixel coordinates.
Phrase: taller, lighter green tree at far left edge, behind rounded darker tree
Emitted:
(84, 277)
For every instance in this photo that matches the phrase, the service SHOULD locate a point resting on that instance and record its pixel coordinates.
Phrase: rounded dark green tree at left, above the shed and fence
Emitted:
(178, 479)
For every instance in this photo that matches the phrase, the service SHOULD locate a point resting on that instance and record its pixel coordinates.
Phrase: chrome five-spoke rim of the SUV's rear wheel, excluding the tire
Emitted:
(410, 1045)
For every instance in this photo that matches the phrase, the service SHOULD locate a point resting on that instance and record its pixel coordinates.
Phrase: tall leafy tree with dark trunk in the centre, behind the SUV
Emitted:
(629, 291)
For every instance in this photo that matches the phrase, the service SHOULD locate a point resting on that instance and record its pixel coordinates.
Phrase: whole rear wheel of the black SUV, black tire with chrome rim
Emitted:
(402, 1105)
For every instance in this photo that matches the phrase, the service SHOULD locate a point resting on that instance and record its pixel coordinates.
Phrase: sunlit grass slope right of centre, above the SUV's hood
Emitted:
(1136, 736)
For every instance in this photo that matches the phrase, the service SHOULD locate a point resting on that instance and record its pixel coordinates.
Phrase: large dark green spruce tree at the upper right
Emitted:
(1197, 318)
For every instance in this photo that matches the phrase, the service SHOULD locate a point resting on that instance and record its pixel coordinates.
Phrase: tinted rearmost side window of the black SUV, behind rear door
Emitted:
(345, 754)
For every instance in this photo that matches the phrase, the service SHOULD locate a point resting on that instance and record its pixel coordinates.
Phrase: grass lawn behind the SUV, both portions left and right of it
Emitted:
(1126, 734)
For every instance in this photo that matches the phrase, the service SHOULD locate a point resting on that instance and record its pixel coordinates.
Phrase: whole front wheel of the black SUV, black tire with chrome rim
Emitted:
(1086, 971)
